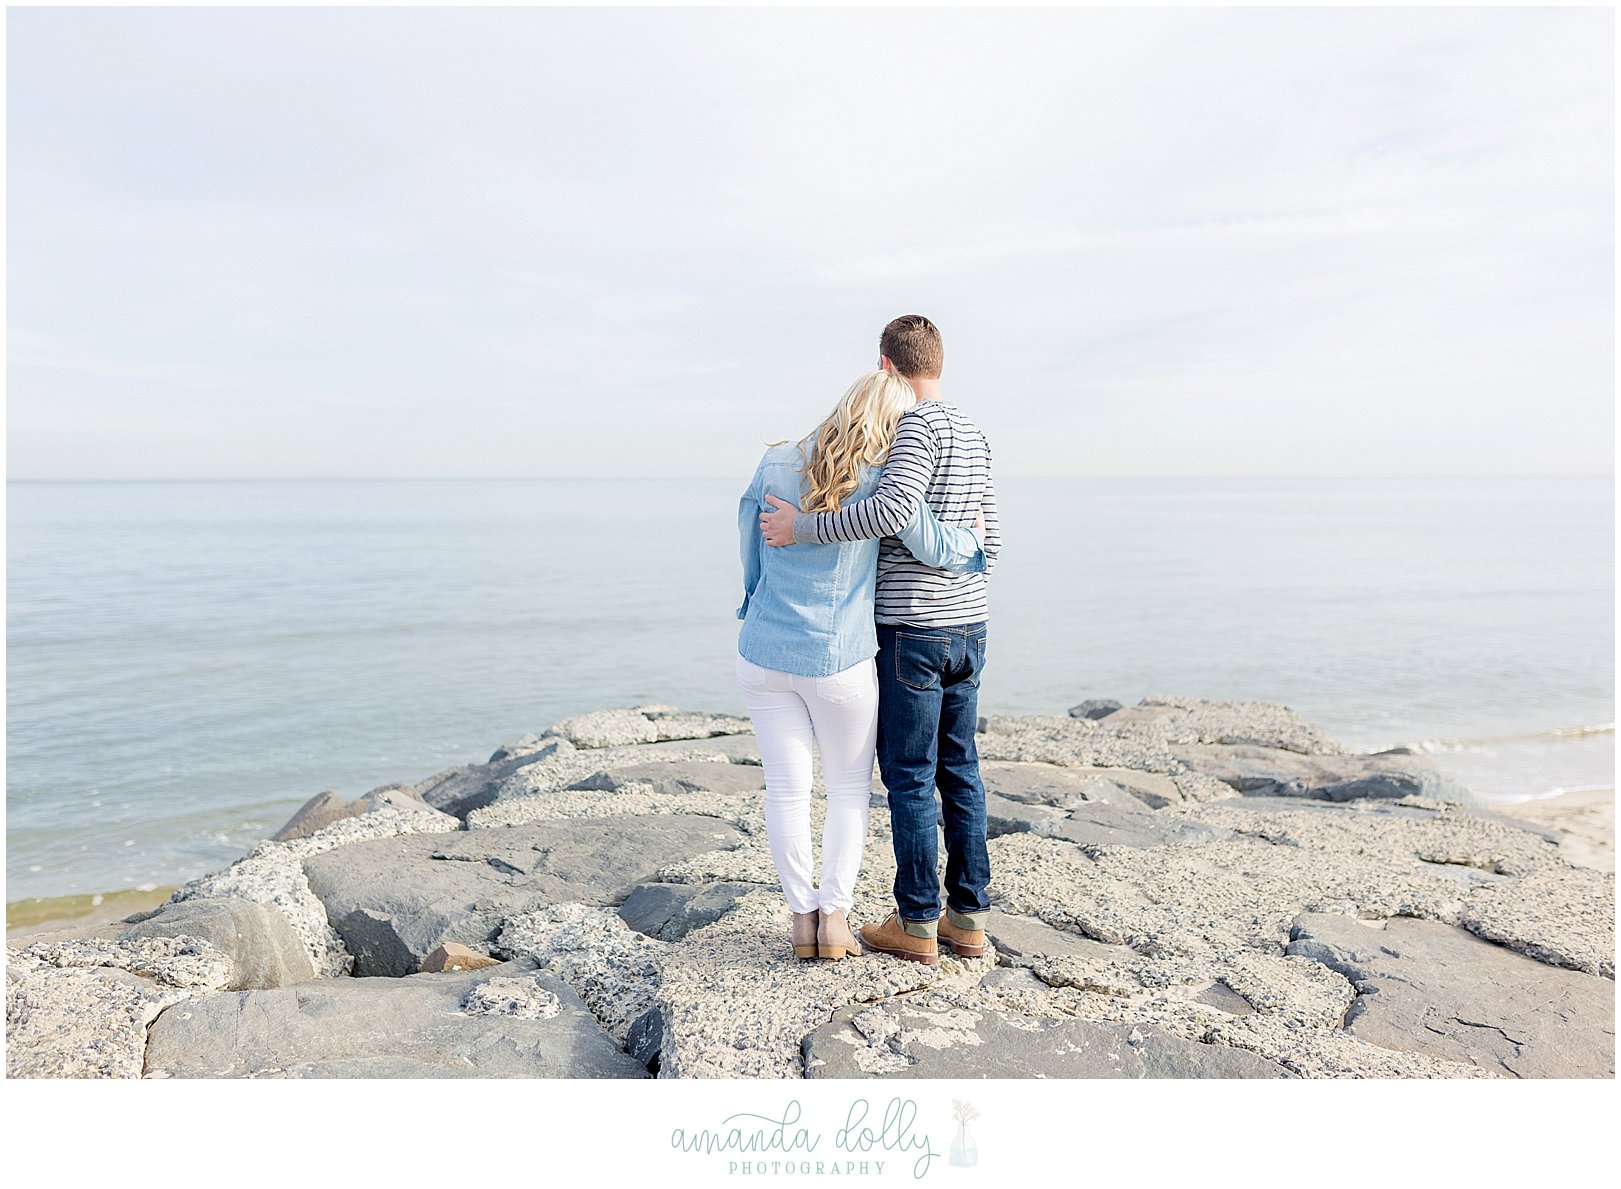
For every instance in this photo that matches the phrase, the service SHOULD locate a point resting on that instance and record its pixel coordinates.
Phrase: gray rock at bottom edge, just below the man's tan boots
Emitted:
(928, 1037)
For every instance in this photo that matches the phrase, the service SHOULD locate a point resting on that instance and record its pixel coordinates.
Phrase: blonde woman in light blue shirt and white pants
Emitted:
(805, 655)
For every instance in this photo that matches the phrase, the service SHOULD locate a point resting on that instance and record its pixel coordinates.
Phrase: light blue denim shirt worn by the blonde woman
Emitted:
(806, 607)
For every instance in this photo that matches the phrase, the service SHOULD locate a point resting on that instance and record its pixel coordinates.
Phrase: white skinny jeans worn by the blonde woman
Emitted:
(842, 715)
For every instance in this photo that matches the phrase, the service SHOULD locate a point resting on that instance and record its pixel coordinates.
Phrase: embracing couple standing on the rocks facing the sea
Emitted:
(865, 559)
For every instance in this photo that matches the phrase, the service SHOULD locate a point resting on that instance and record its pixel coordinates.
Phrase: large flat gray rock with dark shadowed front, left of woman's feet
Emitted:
(396, 899)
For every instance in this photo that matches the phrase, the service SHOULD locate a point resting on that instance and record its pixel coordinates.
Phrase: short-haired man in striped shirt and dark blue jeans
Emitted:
(931, 651)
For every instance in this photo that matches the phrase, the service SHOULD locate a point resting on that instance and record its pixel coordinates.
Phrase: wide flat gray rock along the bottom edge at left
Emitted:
(391, 1028)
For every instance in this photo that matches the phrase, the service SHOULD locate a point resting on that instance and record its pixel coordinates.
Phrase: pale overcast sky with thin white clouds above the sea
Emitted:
(604, 243)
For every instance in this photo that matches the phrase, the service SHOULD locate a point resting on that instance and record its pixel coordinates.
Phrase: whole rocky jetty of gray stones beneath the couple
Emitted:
(1183, 888)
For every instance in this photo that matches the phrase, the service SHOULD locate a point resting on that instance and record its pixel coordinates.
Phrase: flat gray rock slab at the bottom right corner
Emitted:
(1424, 987)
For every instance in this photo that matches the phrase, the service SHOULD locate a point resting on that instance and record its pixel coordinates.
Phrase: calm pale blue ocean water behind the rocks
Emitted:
(190, 661)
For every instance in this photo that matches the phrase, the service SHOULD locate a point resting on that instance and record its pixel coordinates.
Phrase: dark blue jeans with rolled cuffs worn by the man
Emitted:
(928, 713)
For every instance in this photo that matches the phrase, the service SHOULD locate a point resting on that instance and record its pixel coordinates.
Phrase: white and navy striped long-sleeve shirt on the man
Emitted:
(941, 457)
